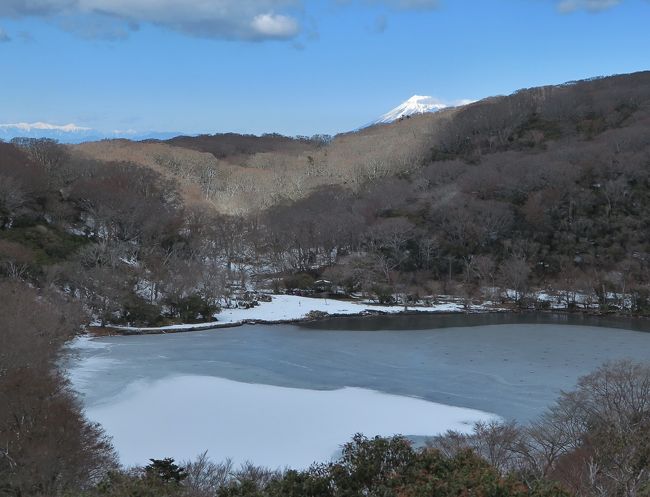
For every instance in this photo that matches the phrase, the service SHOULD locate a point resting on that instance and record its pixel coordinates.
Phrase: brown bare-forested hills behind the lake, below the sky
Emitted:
(547, 188)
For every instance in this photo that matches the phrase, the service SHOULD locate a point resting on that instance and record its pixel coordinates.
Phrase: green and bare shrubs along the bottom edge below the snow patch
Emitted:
(368, 467)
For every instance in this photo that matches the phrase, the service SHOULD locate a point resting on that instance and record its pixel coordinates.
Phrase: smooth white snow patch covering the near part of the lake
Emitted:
(182, 416)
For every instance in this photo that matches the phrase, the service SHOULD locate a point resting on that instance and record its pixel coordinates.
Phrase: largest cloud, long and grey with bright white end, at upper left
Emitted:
(225, 19)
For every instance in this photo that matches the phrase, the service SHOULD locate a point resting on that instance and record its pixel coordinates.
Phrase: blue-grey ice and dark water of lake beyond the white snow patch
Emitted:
(511, 365)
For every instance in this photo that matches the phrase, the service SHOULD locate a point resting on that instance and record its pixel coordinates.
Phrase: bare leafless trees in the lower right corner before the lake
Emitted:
(595, 440)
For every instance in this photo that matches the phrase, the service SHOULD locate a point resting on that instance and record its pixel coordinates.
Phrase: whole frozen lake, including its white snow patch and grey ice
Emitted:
(288, 395)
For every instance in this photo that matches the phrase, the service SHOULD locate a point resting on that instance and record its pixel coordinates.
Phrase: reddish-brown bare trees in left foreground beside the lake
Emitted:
(47, 447)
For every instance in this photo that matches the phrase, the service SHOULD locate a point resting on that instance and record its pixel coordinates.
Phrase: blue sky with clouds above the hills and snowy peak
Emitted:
(296, 67)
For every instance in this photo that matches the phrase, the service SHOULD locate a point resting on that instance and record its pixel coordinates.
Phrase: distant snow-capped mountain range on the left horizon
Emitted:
(71, 133)
